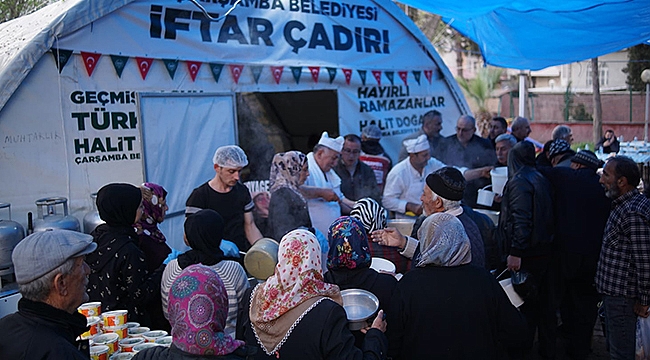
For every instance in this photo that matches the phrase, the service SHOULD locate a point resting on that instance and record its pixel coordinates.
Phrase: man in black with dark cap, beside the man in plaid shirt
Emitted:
(581, 210)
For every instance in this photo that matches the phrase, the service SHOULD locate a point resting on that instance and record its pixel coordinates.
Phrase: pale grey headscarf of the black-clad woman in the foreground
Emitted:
(444, 242)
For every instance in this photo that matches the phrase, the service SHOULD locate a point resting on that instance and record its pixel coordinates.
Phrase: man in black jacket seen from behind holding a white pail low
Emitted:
(525, 235)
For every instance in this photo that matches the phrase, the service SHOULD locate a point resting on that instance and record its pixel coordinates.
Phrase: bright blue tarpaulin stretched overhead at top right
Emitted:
(534, 34)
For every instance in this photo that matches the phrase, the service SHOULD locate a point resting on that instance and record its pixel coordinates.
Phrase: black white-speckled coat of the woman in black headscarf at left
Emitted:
(118, 276)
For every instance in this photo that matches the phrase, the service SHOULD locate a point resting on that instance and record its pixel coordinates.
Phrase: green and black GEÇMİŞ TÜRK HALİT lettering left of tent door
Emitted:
(106, 148)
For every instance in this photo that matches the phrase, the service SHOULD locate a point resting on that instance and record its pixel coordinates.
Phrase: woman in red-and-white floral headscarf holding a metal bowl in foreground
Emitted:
(296, 315)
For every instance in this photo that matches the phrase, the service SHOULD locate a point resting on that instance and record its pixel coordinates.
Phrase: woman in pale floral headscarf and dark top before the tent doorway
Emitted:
(288, 208)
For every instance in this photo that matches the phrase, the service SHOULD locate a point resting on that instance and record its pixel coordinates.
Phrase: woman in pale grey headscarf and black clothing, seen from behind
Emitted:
(447, 308)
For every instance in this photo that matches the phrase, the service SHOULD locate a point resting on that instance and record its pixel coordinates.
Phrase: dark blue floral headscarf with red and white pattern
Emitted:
(348, 242)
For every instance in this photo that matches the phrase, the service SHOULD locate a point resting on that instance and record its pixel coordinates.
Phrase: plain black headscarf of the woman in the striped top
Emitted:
(204, 231)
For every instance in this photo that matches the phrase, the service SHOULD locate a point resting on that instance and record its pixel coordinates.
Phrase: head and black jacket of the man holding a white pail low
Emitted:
(526, 220)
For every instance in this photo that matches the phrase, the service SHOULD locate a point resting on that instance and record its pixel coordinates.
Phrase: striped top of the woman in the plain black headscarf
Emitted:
(234, 279)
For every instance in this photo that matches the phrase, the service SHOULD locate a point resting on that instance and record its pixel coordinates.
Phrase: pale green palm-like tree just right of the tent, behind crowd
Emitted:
(480, 90)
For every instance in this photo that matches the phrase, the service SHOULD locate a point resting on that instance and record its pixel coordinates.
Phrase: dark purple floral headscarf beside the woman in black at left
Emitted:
(153, 197)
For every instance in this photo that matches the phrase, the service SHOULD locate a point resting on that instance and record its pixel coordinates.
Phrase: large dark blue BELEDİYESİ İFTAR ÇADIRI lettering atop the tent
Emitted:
(166, 23)
